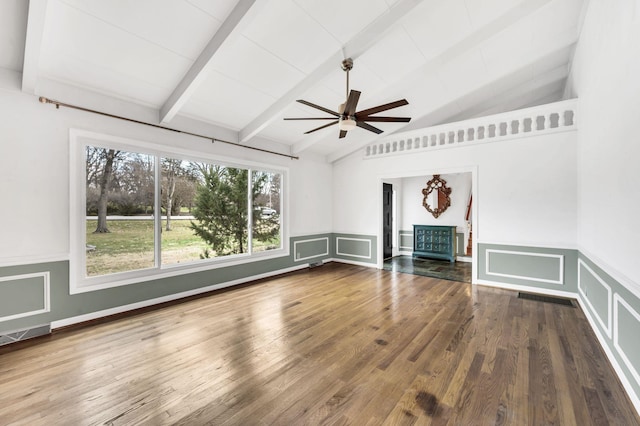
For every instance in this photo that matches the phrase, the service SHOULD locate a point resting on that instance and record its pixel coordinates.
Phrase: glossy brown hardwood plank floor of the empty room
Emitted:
(338, 344)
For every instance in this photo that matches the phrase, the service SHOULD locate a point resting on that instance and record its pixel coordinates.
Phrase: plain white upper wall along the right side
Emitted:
(605, 75)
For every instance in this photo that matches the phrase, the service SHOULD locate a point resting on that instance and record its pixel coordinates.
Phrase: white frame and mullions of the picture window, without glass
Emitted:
(80, 283)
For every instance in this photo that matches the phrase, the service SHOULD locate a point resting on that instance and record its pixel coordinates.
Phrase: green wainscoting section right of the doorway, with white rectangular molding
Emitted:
(546, 268)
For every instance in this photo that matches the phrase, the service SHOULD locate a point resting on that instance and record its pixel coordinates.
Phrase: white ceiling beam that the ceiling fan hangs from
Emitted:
(352, 49)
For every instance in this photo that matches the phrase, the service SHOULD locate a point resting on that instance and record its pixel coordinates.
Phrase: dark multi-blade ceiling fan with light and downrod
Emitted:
(347, 118)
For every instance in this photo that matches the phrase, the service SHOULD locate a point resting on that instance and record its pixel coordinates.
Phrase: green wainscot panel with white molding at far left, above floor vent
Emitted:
(24, 295)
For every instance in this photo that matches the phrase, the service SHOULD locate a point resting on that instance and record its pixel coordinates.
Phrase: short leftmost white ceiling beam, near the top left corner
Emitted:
(33, 43)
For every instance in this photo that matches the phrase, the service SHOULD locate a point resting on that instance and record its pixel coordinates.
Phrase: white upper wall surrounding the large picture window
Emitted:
(34, 171)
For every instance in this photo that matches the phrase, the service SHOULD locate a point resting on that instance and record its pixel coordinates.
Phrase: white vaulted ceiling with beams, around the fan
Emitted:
(240, 65)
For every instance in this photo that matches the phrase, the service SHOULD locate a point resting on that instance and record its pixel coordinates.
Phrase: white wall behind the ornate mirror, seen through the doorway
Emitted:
(415, 213)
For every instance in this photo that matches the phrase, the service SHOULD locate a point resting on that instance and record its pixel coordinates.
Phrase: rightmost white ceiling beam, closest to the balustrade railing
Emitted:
(442, 114)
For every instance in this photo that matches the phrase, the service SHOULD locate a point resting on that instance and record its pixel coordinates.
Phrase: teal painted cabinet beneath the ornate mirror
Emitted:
(436, 242)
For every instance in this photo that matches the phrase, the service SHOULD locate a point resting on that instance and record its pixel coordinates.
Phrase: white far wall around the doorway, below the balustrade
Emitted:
(526, 188)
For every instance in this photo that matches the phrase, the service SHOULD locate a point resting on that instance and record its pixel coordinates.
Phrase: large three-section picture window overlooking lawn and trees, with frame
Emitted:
(143, 212)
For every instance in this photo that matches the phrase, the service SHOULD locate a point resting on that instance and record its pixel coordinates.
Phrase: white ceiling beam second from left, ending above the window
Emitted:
(239, 17)
